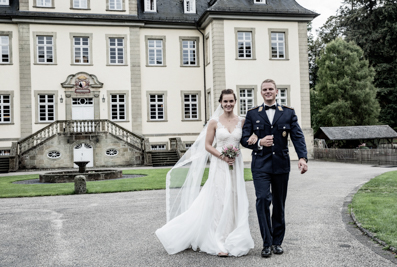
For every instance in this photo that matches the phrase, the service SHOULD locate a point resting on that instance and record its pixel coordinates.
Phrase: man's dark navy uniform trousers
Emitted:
(271, 189)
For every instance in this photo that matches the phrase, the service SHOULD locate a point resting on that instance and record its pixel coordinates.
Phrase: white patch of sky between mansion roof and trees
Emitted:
(325, 8)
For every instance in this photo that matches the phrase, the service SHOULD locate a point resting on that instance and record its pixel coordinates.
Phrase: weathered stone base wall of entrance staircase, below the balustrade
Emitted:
(38, 158)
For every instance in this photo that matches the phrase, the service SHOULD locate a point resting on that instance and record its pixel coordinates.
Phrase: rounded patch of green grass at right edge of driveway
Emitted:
(375, 207)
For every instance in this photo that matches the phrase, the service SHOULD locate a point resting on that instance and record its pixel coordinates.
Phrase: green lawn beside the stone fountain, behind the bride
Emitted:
(154, 179)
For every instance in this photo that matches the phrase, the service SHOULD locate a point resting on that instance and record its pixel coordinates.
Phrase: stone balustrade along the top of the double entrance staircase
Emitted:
(72, 127)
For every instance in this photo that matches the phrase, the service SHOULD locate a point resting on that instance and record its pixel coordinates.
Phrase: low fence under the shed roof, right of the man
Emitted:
(364, 156)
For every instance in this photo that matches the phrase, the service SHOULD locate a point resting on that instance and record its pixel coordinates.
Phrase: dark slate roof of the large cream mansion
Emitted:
(172, 11)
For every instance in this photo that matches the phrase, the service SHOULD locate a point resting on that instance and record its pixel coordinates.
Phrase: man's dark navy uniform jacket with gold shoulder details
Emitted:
(274, 159)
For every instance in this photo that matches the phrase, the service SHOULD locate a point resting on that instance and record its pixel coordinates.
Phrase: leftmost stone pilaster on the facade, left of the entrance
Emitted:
(25, 79)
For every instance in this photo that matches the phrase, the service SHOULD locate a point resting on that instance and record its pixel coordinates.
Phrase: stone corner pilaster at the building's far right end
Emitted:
(304, 87)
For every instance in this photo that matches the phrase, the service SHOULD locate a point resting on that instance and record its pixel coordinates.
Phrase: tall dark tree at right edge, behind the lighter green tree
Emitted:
(371, 24)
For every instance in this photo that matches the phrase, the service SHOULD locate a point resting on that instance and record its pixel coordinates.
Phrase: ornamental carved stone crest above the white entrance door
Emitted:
(82, 82)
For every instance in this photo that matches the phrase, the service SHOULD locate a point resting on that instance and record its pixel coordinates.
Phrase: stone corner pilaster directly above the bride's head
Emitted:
(218, 59)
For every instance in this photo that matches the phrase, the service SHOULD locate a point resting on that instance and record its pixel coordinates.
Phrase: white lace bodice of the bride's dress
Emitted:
(224, 137)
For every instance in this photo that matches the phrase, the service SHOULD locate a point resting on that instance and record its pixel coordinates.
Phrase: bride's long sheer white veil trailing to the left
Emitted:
(184, 179)
